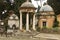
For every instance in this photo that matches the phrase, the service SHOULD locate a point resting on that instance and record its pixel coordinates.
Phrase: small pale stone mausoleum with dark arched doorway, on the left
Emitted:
(13, 20)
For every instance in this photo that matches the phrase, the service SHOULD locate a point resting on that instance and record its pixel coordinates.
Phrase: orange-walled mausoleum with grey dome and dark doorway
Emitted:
(46, 17)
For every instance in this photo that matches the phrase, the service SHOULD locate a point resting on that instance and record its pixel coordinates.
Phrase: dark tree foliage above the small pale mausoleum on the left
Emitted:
(6, 5)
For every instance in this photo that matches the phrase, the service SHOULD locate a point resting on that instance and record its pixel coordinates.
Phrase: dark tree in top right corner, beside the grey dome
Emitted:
(55, 4)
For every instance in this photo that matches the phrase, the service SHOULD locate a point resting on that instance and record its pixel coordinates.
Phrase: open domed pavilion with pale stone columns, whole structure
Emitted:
(27, 16)
